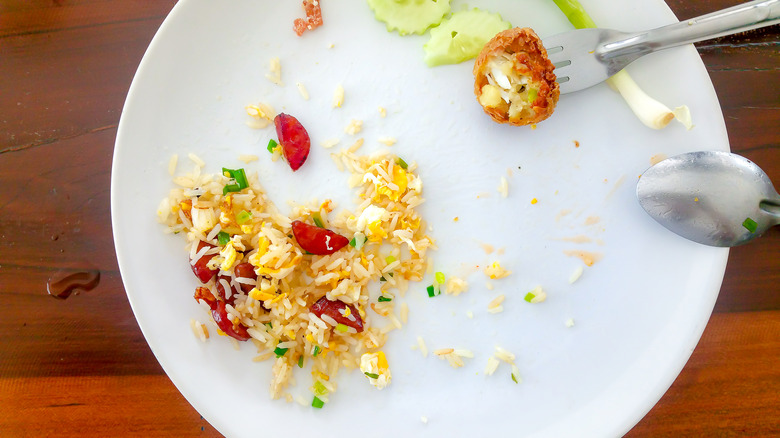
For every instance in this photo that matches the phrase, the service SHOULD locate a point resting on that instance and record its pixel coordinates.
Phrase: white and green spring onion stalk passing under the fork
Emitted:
(650, 111)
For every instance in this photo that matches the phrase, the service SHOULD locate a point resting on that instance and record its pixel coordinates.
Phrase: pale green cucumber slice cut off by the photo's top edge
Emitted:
(409, 16)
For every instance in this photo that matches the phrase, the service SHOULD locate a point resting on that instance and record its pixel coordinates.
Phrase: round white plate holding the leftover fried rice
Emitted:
(638, 312)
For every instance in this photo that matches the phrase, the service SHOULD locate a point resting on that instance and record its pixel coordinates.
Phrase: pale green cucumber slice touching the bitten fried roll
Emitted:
(462, 36)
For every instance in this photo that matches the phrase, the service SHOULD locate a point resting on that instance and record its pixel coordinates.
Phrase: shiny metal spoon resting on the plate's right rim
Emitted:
(714, 198)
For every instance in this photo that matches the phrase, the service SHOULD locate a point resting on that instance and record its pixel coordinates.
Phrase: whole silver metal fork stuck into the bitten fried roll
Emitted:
(586, 57)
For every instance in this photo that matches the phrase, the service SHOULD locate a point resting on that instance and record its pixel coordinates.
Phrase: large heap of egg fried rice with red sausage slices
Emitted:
(299, 309)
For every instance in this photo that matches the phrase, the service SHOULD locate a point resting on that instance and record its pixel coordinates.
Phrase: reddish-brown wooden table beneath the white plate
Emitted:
(81, 366)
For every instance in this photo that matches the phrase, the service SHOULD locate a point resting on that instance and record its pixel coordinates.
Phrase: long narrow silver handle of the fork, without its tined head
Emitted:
(739, 18)
